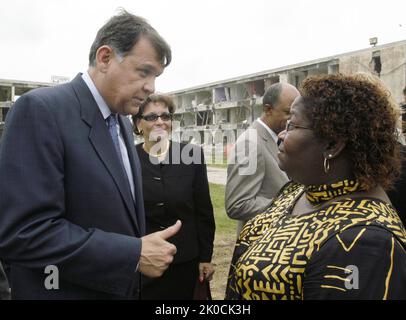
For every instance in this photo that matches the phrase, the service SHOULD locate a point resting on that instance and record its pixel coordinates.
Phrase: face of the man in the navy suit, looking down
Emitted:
(130, 80)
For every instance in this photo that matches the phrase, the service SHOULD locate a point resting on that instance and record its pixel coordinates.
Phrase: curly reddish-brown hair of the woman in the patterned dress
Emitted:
(361, 113)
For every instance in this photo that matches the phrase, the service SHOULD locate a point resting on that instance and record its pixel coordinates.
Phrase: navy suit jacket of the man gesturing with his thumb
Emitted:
(65, 200)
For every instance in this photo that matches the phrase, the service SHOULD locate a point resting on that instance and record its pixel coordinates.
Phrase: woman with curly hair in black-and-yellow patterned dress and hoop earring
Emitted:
(330, 233)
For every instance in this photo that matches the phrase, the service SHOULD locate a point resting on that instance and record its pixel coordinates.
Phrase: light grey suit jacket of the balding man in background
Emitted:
(248, 195)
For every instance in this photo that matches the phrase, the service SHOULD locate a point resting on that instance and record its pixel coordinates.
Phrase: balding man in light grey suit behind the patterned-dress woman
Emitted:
(253, 176)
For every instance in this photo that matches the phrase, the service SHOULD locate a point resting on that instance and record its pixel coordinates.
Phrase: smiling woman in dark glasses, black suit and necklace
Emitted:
(175, 187)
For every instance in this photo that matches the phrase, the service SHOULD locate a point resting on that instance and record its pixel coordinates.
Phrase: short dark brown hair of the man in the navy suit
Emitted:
(123, 31)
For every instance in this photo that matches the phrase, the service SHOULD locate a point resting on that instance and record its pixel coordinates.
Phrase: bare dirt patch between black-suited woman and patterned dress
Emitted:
(223, 251)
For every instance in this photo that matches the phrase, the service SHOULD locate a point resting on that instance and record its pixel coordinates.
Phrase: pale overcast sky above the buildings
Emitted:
(211, 40)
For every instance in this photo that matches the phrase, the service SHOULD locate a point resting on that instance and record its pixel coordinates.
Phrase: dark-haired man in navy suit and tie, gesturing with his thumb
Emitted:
(71, 200)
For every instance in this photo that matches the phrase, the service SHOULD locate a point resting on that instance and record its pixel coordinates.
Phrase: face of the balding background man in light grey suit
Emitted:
(280, 113)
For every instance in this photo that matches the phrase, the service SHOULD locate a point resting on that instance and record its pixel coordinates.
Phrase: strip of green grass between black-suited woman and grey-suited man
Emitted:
(224, 225)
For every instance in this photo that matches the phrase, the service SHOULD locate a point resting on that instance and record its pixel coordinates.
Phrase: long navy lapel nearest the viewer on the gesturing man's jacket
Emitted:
(101, 141)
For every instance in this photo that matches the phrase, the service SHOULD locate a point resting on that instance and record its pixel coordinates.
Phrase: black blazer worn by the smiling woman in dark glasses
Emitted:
(178, 189)
